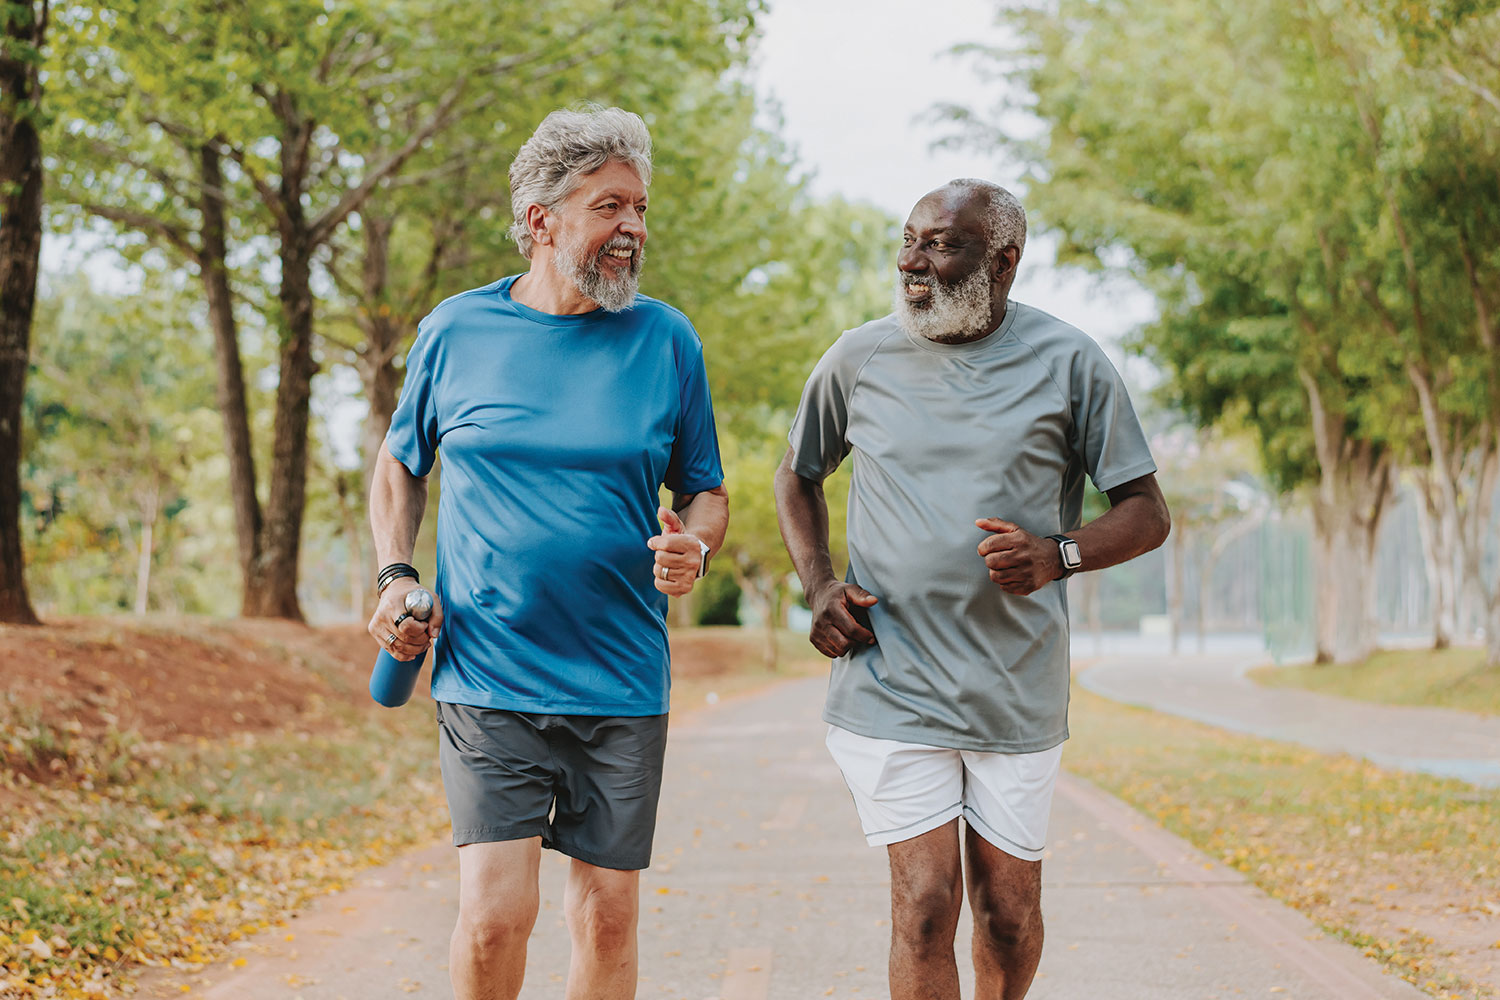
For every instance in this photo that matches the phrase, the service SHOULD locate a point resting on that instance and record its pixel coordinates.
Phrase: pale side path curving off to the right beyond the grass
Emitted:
(1216, 690)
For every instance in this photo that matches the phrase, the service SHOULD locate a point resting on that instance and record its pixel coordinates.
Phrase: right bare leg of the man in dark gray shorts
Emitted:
(602, 906)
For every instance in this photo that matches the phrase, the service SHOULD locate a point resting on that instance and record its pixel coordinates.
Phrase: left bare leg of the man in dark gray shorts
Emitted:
(499, 900)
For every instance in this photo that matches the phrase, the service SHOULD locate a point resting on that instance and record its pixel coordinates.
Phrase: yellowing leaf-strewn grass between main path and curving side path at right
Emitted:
(1331, 836)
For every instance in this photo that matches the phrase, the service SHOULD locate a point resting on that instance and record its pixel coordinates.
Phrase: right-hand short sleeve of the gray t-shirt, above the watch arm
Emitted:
(1108, 434)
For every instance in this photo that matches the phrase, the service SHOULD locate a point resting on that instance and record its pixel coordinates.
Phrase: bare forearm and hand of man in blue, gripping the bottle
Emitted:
(398, 500)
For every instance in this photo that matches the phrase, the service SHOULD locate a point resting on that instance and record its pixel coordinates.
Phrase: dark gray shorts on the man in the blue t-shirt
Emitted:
(586, 785)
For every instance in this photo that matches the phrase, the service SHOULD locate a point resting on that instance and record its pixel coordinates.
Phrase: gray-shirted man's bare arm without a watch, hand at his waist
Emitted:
(802, 510)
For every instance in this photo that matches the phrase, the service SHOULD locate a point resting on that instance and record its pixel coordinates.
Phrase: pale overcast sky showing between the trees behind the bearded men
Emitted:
(857, 94)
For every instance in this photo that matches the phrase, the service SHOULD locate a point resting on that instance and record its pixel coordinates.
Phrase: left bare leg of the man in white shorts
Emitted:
(926, 897)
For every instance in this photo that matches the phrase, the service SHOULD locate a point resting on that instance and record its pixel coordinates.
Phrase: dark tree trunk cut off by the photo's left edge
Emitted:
(20, 257)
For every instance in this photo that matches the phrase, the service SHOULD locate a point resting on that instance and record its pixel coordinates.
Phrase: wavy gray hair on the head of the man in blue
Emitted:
(565, 149)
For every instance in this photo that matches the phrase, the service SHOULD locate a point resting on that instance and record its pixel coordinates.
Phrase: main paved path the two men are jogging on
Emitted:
(763, 888)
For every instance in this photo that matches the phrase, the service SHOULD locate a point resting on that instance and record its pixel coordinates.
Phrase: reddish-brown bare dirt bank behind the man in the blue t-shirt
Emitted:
(182, 680)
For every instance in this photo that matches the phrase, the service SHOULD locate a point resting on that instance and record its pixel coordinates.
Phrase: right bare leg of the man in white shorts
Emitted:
(1006, 897)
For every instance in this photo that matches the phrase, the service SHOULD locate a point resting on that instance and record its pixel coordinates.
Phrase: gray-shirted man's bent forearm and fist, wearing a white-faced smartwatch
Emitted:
(1136, 522)
